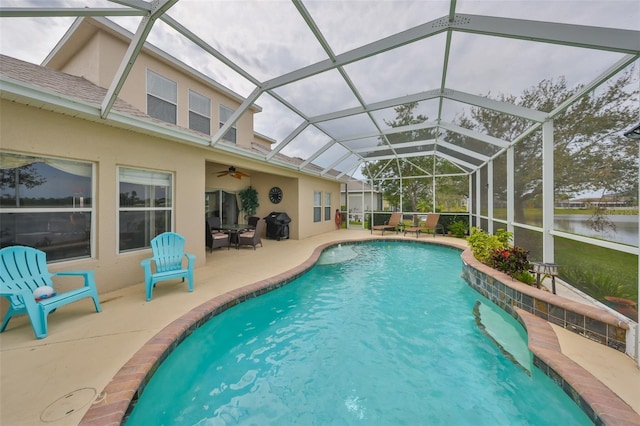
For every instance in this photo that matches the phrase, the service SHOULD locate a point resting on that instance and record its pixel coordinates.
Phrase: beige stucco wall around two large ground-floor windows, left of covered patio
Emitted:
(62, 136)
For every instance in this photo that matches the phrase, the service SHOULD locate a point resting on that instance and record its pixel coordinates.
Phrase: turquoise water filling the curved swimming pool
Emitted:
(374, 334)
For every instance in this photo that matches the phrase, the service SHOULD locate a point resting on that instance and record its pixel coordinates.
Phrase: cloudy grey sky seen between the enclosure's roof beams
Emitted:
(270, 38)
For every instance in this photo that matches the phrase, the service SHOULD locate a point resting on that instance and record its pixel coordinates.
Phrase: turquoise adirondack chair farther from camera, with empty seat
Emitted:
(168, 254)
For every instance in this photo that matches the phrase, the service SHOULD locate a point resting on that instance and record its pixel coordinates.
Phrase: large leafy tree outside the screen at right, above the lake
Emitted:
(589, 151)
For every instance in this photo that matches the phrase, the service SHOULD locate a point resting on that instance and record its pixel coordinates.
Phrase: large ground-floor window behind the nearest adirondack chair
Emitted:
(47, 204)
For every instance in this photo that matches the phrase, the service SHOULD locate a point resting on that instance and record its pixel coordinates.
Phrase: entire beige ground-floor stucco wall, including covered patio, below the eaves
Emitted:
(34, 131)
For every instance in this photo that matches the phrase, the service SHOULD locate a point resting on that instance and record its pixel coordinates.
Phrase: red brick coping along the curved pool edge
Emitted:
(119, 396)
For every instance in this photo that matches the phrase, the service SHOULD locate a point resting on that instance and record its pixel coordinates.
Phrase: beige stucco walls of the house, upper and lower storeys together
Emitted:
(96, 56)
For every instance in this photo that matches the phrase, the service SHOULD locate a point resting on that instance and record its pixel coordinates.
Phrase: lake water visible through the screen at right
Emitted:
(625, 232)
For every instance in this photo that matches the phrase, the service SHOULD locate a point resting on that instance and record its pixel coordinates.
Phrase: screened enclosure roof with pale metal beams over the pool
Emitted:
(329, 76)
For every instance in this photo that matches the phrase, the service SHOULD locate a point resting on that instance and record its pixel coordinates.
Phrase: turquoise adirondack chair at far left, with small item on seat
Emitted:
(22, 271)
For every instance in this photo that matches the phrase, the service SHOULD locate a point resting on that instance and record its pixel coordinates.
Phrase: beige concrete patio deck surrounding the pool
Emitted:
(56, 380)
